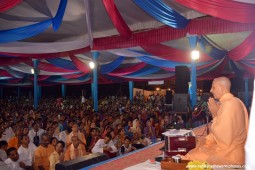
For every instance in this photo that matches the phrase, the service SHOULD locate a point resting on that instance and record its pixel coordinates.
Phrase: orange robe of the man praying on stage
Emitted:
(225, 144)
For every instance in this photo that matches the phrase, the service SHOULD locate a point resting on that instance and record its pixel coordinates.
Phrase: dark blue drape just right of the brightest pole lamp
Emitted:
(212, 51)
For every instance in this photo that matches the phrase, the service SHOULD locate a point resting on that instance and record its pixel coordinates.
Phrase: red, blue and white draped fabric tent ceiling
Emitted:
(138, 40)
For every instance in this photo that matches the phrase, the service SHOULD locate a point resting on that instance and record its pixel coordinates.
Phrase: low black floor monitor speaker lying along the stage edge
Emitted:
(81, 162)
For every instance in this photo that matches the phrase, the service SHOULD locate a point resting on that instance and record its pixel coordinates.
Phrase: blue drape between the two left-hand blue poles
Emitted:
(67, 64)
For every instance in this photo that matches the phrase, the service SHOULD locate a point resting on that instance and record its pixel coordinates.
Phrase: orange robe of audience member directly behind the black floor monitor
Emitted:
(73, 153)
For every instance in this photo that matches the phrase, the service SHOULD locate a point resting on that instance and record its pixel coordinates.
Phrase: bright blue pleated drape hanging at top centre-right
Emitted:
(163, 13)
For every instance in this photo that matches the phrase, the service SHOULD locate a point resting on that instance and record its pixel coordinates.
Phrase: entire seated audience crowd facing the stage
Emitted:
(63, 130)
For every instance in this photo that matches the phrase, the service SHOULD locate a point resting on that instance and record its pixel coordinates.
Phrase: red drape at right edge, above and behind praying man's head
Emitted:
(245, 48)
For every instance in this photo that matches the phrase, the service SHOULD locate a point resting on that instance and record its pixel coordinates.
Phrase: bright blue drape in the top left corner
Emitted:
(21, 33)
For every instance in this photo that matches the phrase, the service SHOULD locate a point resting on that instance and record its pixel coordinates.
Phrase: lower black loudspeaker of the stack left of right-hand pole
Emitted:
(181, 102)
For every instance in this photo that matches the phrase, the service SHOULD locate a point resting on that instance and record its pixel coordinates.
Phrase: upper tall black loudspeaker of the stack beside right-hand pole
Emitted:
(182, 78)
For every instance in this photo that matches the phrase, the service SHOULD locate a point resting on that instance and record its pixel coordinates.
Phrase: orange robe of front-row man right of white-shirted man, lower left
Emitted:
(42, 155)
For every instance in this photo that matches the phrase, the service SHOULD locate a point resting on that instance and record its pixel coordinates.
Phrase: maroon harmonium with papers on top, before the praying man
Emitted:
(179, 142)
